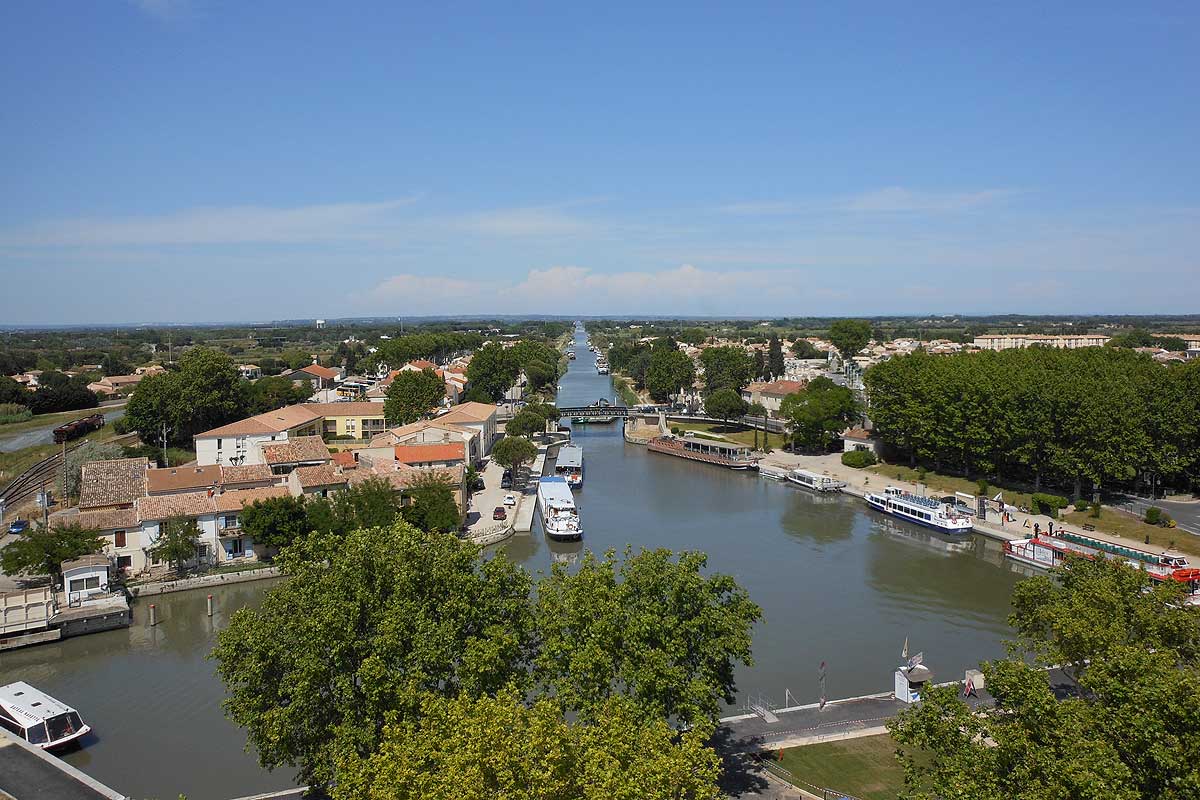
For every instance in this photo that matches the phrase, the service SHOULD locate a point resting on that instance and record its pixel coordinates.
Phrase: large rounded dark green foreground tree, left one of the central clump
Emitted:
(365, 627)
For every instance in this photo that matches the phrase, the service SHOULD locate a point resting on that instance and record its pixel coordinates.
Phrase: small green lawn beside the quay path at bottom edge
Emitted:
(866, 768)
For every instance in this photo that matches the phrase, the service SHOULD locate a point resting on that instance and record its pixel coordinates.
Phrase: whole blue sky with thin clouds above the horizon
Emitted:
(208, 161)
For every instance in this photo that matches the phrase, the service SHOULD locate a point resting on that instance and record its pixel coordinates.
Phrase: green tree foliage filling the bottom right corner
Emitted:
(1132, 730)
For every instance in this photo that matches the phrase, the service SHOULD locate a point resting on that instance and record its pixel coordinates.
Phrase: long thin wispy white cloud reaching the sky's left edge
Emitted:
(214, 226)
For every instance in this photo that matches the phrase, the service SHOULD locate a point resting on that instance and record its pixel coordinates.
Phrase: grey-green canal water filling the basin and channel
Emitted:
(837, 582)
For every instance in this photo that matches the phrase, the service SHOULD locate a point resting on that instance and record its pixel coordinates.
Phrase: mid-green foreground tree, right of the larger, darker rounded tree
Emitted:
(653, 627)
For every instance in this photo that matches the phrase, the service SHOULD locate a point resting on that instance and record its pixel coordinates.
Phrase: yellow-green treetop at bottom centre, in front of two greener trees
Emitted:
(502, 749)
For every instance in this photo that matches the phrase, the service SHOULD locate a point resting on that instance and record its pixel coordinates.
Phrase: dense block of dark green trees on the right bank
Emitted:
(1102, 416)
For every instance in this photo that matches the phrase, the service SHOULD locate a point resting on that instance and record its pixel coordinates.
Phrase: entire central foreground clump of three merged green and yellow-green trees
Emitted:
(376, 669)
